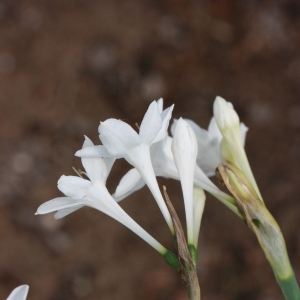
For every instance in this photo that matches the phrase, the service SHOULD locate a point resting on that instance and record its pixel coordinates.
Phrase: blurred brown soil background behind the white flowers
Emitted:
(65, 65)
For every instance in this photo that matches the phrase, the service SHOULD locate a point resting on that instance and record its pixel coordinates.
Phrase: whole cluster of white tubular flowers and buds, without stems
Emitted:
(190, 155)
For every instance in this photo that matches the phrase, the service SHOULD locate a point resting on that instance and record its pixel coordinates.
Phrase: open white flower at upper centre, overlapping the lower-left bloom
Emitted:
(121, 140)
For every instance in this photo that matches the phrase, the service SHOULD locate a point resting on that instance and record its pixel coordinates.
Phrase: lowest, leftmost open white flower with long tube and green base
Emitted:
(93, 192)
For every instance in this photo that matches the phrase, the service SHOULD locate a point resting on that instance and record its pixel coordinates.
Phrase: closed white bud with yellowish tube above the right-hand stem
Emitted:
(232, 149)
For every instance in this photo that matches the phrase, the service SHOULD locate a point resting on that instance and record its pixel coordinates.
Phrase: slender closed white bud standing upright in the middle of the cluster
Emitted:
(184, 149)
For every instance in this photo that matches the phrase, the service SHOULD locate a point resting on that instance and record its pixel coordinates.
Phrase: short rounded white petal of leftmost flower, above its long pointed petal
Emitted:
(73, 186)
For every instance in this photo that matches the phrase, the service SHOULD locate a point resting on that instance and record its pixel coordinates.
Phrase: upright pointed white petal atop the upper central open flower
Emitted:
(151, 124)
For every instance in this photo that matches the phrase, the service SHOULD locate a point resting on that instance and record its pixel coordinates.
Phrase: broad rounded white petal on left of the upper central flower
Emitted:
(117, 136)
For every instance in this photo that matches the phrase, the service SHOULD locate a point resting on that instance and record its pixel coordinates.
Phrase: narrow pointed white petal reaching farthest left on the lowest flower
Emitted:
(57, 204)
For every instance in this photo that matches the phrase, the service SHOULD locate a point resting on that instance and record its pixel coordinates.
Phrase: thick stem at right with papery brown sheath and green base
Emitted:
(265, 227)
